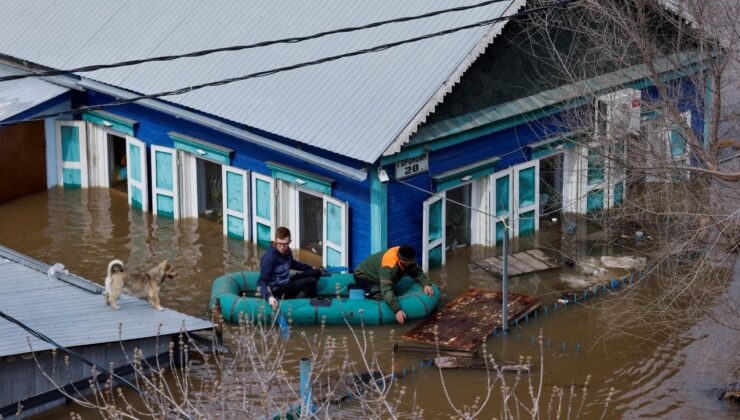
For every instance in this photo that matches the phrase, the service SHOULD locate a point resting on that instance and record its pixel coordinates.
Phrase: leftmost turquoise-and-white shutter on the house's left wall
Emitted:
(71, 139)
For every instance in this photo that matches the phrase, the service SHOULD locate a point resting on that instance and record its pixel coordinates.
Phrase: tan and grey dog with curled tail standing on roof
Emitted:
(146, 284)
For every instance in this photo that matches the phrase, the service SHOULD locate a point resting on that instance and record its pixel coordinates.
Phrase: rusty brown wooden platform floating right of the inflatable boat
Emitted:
(463, 324)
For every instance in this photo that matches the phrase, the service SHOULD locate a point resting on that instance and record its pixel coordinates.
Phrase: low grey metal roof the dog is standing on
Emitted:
(72, 315)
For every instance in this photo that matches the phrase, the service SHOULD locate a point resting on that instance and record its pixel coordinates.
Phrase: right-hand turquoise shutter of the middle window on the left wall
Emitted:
(236, 202)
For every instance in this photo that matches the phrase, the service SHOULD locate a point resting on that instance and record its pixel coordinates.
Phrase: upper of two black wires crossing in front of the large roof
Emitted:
(291, 40)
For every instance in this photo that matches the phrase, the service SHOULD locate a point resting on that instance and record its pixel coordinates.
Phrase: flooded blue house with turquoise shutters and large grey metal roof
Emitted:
(353, 154)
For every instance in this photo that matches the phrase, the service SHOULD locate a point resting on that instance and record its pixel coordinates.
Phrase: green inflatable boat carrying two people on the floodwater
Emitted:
(238, 296)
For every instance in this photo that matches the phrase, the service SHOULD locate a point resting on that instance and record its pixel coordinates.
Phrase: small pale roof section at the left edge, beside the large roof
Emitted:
(17, 96)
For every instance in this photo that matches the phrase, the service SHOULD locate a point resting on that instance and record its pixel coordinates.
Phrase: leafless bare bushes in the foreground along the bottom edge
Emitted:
(254, 380)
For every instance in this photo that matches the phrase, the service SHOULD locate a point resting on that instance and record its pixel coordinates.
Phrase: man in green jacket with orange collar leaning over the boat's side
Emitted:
(385, 269)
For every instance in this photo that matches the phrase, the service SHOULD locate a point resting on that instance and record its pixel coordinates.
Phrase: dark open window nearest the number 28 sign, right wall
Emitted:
(458, 217)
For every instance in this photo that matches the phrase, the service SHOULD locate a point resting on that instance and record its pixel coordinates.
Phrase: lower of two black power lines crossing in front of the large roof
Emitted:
(269, 72)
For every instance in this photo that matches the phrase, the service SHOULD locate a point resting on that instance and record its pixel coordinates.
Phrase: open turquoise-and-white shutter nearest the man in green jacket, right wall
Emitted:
(433, 235)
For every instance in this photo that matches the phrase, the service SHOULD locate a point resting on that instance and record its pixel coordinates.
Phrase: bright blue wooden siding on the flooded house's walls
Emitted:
(404, 204)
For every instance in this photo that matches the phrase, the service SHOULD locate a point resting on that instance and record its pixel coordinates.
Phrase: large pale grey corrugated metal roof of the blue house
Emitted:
(354, 106)
